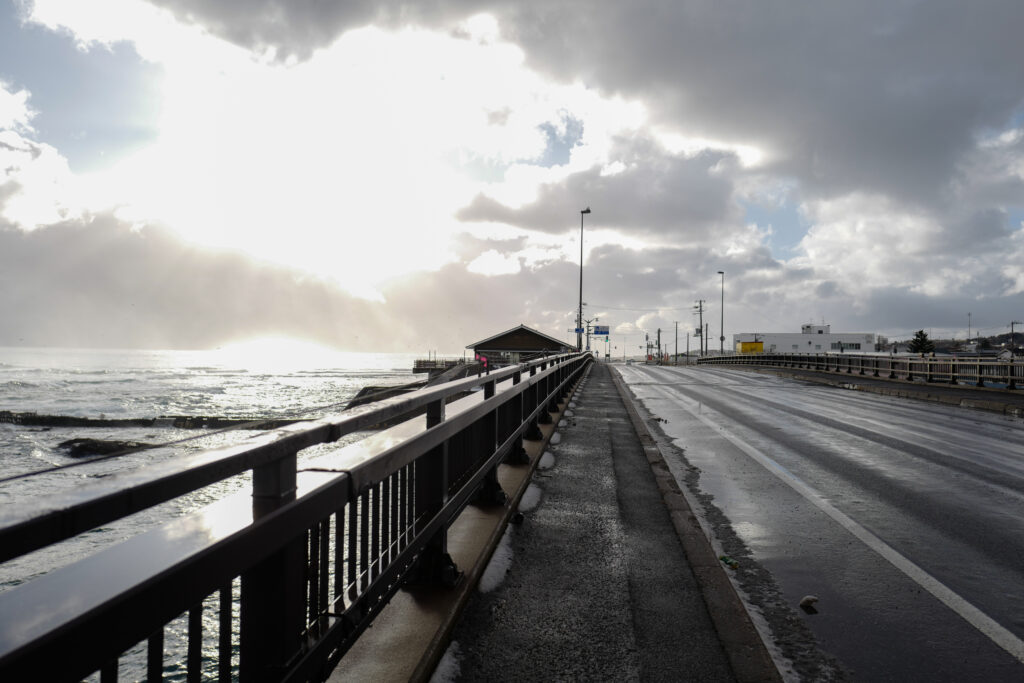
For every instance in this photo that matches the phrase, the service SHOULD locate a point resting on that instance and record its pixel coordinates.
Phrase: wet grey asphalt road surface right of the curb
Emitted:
(905, 519)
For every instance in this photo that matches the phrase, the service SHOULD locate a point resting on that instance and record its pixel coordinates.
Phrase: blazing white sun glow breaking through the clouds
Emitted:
(351, 165)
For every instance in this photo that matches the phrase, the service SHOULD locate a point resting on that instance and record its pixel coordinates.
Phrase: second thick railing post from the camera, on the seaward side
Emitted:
(435, 565)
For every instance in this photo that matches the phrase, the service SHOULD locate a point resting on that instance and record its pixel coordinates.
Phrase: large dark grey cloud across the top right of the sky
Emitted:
(880, 96)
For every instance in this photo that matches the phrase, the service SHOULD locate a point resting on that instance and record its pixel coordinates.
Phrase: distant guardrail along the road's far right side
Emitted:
(951, 370)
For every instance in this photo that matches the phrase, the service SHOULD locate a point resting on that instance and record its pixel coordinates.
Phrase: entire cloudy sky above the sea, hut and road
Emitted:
(410, 177)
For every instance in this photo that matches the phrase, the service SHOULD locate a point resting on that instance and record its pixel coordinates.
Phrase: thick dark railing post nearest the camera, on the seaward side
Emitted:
(273, 612)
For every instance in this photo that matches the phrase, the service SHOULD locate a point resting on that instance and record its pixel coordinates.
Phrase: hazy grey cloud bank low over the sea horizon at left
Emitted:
(102, 284)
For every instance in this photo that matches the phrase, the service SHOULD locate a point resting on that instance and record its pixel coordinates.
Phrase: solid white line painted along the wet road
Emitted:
(979, 620)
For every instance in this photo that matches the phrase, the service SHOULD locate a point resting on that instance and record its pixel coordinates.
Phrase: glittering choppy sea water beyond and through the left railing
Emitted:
(238, 383)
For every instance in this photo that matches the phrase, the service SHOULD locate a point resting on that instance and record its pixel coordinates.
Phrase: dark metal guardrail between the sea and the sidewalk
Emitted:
(279, 585)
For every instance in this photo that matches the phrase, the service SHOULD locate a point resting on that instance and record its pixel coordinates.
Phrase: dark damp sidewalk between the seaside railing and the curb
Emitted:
(609, 577)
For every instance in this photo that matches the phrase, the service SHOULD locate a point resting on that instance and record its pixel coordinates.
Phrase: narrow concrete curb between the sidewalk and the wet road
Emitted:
(744, 647)
